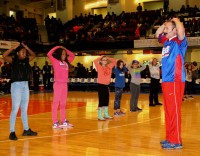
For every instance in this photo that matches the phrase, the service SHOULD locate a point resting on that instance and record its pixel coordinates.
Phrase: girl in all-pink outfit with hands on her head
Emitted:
(60, 58)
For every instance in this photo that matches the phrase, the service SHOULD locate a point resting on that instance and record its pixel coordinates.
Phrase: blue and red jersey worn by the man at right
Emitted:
(173, 55)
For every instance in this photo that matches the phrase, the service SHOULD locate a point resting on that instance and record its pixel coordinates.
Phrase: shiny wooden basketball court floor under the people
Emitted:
(135, 134)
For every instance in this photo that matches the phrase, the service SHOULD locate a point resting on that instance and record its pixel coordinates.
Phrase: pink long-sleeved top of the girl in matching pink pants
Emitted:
(61, 69)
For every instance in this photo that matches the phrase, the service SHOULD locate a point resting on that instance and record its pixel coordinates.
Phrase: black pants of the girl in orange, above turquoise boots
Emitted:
(103, 93)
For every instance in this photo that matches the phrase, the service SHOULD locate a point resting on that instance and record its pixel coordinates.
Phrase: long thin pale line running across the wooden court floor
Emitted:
(82, 132)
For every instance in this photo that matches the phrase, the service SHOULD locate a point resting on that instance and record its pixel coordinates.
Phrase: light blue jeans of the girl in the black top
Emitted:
(20, 98)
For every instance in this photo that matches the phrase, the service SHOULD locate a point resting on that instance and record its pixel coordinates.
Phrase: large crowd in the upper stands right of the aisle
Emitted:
(126, 26)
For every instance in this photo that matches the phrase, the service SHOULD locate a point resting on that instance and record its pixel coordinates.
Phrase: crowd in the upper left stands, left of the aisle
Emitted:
(24, 29)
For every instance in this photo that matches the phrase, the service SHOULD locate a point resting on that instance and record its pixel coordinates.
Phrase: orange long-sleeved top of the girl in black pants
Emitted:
(104, 72)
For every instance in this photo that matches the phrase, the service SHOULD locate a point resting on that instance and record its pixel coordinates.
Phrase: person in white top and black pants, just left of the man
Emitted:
(154, 68)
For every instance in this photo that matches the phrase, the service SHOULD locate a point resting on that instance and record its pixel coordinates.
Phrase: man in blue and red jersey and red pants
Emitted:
(172, 35)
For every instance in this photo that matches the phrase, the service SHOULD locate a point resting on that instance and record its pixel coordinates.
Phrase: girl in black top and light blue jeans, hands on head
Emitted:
(21, 74)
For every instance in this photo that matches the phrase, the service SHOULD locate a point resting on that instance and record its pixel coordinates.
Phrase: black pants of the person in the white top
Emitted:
(154, 89)
